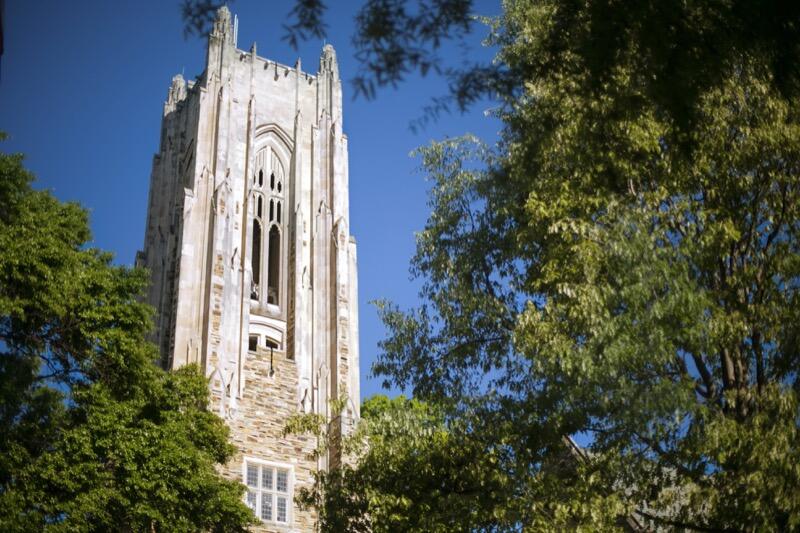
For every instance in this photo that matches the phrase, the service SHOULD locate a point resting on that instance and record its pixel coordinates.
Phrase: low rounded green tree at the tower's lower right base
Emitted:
(407, 469)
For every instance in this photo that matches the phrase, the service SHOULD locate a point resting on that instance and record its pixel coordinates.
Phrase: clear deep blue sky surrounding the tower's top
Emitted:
(83, 83)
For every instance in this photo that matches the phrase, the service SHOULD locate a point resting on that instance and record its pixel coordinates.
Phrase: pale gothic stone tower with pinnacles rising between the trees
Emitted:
(252, 262)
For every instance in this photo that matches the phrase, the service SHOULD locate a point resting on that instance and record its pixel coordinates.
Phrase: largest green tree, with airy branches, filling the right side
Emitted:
(624, 267)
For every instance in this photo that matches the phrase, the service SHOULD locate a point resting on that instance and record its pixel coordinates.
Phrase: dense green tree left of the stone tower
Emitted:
(93, 436)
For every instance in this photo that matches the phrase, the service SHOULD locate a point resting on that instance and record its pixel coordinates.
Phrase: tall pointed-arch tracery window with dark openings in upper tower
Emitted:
(268, 228)
